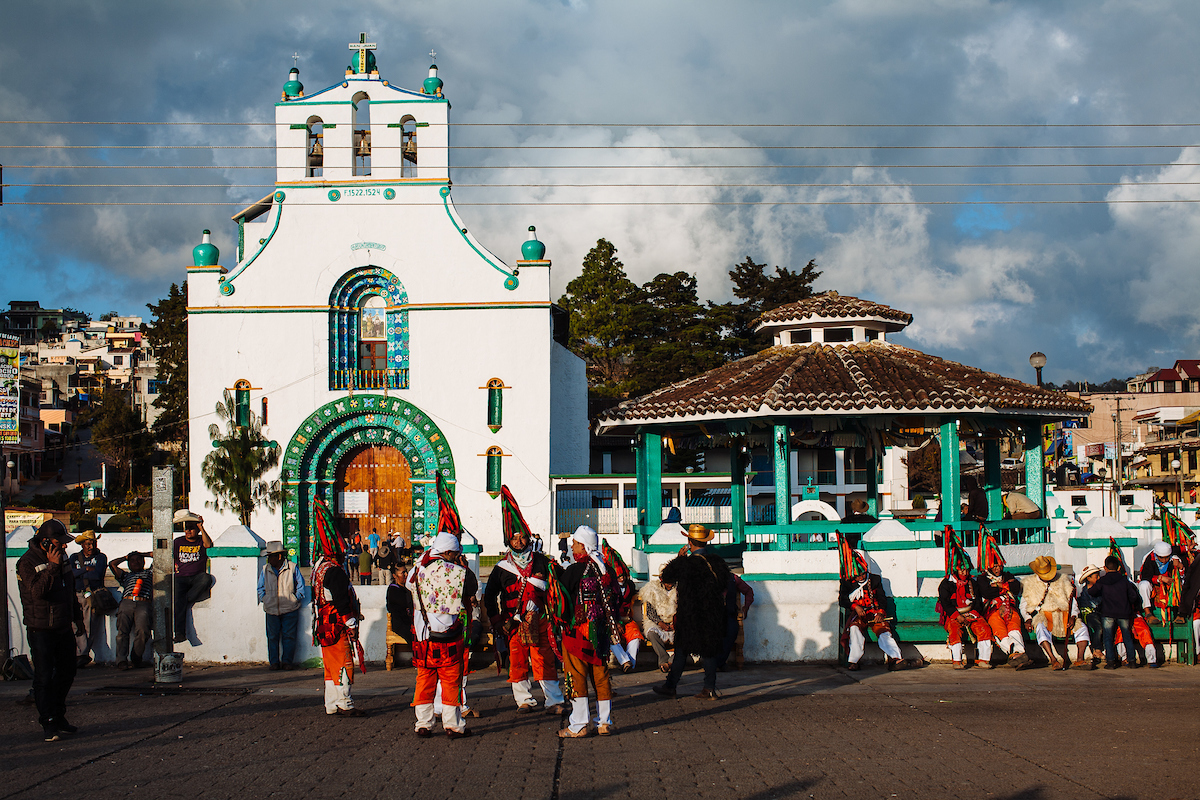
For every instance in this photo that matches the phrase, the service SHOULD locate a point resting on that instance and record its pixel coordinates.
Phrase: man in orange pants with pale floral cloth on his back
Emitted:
(442, 591)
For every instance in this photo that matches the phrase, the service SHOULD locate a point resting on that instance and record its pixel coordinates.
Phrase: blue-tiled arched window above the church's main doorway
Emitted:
(369, 332)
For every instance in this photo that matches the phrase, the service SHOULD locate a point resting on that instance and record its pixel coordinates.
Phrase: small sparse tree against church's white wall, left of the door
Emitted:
(235, 471)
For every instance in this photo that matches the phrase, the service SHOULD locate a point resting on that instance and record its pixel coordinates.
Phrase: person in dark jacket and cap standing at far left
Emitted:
(53, 618)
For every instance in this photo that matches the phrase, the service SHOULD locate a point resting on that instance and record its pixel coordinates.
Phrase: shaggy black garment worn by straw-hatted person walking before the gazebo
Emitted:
(700, 584)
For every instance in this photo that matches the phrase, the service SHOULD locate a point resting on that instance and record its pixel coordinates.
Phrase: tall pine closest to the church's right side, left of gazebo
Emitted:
(605, 309)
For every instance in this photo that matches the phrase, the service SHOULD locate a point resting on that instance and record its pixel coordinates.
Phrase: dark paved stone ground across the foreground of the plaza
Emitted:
(778, 732)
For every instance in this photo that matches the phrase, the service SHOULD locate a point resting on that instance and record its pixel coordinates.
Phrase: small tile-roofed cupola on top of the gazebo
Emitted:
(831, 318)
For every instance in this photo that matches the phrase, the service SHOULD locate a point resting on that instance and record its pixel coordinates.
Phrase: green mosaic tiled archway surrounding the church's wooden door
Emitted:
(323, 441)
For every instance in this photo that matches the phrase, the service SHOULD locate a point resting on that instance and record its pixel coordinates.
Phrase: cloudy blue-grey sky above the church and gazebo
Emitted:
(897, 143)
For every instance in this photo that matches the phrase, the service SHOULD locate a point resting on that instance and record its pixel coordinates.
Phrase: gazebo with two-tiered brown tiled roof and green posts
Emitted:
(833, 370)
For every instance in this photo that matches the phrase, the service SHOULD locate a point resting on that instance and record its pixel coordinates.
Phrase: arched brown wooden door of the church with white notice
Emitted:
(375, 491)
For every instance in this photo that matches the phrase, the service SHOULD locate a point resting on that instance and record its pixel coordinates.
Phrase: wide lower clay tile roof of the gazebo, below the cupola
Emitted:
(848, 378)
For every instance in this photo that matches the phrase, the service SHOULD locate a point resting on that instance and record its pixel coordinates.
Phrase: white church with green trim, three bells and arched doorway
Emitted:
(379, 339)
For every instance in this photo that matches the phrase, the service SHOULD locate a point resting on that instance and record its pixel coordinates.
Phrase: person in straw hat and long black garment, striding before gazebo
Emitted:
(700, 579)
